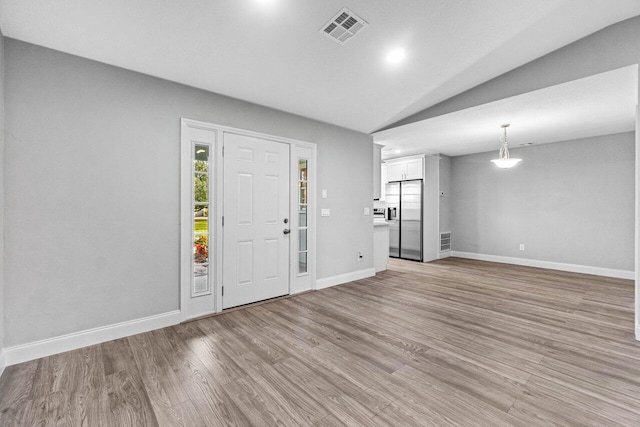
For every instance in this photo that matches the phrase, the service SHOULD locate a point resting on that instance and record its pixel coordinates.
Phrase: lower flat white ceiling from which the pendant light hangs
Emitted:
(602, 104)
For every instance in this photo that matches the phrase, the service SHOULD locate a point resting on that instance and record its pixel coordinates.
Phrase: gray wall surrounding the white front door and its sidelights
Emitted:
(92, 190)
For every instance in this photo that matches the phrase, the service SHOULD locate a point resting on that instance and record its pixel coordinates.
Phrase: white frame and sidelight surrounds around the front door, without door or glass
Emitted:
(210, 304)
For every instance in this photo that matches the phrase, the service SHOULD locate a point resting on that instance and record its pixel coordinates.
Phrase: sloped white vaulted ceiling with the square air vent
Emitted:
(270, 52)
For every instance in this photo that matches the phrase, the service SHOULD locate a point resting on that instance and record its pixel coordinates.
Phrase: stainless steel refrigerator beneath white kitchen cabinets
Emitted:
(404, 214)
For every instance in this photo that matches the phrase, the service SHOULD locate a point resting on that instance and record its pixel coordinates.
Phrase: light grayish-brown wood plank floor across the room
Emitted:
(455, 342)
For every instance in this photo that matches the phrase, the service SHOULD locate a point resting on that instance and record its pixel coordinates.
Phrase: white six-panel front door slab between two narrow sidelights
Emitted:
(256, 220)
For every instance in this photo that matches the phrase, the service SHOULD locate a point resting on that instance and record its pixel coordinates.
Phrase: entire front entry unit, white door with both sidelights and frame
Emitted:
(247, 217)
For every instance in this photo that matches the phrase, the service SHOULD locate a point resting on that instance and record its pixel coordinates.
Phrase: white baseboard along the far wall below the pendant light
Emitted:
(575, 268)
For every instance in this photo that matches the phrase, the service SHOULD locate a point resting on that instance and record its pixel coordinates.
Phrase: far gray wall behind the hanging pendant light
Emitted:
(569, 202)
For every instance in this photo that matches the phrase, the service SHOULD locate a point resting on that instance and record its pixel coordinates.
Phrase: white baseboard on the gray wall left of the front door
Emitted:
(47, 347)
